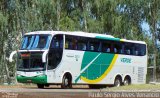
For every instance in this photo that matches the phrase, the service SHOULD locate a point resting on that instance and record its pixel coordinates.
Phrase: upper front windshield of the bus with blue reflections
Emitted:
(34, 42)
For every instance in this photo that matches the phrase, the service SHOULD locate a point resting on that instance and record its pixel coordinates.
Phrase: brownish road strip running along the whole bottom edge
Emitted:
(34, 92)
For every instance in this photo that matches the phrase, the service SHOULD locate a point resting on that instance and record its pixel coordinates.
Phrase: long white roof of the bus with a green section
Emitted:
(85, 34)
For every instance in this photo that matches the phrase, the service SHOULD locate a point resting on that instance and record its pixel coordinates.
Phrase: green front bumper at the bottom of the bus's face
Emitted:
(42, 79)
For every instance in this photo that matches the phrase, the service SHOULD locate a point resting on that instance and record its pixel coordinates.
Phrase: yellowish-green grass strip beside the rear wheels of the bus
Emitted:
(140, 87)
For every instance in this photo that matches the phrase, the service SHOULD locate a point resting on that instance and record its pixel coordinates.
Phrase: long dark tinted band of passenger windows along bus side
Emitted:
(106, 46)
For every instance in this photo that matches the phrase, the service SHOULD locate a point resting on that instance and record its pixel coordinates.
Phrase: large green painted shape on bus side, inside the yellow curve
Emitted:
(97, 67)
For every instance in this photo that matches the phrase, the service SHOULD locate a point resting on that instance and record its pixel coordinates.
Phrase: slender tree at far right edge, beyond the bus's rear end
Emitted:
(151, 13)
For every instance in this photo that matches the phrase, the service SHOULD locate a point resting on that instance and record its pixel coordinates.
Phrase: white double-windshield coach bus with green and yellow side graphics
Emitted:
(67, 58)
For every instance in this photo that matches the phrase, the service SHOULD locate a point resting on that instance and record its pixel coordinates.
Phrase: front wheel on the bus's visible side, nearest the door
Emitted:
(66, 82)
